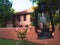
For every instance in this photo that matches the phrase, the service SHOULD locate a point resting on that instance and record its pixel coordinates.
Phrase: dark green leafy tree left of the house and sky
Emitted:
(5, 12)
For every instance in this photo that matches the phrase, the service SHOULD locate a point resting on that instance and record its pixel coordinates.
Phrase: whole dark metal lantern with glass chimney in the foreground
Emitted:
(43, 21)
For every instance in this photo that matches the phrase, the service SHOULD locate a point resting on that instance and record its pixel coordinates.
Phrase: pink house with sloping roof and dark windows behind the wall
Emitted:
(21, 19)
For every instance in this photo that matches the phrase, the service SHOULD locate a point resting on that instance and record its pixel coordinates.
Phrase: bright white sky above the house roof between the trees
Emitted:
(20, 5)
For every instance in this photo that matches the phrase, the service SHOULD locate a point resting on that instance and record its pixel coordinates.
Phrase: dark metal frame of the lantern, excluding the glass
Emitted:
(42, 7)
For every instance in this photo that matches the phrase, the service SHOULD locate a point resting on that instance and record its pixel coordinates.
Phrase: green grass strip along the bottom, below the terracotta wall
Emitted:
(13, 42)
